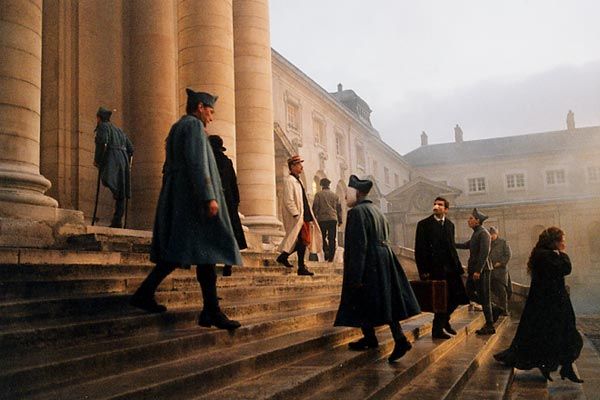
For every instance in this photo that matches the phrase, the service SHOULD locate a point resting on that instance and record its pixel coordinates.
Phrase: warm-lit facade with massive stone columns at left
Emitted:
(62, 59)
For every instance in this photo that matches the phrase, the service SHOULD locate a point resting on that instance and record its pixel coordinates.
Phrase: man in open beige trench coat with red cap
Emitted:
(301, 227)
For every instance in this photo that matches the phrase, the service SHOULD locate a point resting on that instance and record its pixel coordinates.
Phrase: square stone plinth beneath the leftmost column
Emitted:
(26, 225)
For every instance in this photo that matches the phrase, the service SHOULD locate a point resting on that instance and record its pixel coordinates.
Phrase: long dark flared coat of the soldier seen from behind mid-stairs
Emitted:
(375, 290)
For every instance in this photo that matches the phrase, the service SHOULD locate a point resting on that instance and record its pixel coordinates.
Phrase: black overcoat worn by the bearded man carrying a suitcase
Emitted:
(435, 254)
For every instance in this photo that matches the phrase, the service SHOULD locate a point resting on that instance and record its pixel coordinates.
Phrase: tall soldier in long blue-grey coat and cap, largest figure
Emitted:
(192, 225)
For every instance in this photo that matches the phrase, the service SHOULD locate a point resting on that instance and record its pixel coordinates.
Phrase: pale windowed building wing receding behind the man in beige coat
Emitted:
(333, 134)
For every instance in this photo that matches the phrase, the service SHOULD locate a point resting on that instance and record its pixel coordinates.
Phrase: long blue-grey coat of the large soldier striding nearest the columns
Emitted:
(183, 233)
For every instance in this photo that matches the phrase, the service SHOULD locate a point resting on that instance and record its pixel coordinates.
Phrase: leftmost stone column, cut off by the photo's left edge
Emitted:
(20, 97)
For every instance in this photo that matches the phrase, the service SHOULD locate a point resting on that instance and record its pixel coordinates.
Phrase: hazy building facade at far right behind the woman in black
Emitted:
(524, 183)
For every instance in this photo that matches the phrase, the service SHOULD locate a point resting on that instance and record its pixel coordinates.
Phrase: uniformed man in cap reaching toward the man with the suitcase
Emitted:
(479, 269)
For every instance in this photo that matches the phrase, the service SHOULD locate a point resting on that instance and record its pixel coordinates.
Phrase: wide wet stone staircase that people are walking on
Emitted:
(67, 332)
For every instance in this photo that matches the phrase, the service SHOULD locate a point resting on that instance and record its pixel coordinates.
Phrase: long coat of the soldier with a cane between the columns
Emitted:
(113, 150)
